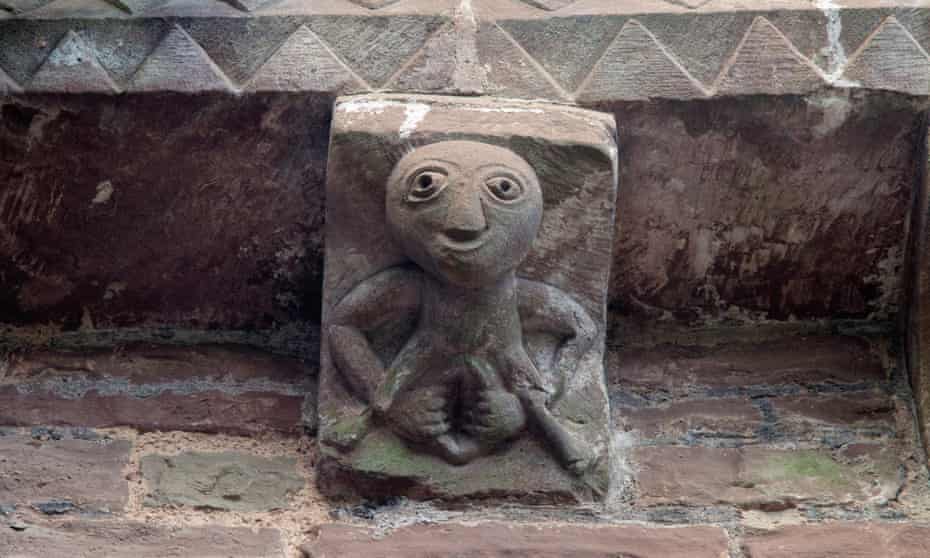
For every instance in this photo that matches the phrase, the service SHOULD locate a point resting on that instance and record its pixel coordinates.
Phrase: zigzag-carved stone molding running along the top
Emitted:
(585, 51)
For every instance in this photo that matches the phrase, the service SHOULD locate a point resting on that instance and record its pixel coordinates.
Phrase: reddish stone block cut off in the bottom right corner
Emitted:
(841, 540)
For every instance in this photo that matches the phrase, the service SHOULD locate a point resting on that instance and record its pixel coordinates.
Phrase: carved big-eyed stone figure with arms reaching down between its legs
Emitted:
(466, 214)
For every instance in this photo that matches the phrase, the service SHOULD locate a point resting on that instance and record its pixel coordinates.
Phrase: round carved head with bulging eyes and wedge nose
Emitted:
(466, 212)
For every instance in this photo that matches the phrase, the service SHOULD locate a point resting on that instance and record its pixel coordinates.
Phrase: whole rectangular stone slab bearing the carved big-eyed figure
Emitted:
(453, 342)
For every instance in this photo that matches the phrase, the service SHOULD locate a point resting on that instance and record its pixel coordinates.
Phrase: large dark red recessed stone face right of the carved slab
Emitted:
(747, 225)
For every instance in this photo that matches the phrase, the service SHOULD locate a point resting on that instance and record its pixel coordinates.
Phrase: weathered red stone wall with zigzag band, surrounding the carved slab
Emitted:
(161, 235)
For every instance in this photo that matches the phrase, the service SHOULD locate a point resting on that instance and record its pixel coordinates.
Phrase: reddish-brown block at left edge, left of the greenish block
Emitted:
(81, 473)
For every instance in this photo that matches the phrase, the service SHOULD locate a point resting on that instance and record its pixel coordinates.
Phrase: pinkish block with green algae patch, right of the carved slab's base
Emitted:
(761, 478)
